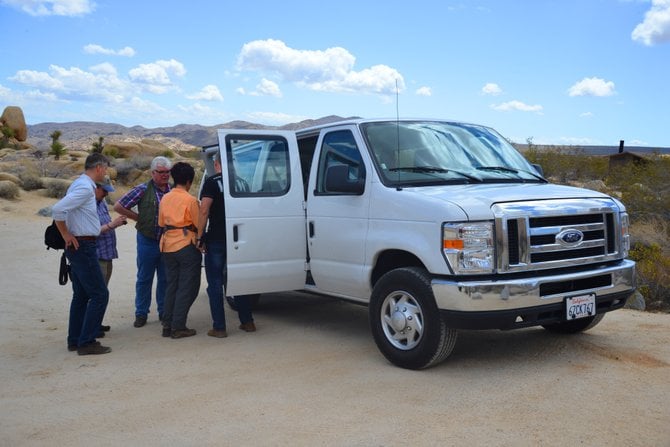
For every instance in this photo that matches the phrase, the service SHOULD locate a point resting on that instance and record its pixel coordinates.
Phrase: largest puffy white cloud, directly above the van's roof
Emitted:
(329, 70)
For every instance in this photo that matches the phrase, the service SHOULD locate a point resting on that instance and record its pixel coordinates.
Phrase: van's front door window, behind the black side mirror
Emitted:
(339, 149)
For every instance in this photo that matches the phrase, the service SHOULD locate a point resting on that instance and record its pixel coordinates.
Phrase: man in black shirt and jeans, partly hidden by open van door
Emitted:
(213, 244)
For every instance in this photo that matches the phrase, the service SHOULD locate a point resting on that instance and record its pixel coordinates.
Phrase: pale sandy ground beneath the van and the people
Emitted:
(311, 375)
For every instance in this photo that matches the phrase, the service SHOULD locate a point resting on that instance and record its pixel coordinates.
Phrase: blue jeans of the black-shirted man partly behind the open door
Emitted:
(216, 273)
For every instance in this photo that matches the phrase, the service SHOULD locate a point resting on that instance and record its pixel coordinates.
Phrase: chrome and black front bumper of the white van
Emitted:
(514, 303)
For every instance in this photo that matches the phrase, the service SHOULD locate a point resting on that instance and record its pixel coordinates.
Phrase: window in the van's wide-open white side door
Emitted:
(257, 166)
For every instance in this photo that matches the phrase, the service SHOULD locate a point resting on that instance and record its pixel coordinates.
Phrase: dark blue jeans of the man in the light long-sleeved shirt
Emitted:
(89, 294)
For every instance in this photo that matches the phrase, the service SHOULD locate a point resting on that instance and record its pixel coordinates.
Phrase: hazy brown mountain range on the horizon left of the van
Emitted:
(80, 135)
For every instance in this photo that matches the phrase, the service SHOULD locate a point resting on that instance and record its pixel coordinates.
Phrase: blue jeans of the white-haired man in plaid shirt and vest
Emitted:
(149, 261)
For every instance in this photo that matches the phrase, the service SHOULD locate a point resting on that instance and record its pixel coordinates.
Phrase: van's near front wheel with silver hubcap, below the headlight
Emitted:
(405, 322)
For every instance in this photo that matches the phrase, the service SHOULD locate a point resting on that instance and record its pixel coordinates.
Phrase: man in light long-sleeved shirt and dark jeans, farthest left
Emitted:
(77, 220)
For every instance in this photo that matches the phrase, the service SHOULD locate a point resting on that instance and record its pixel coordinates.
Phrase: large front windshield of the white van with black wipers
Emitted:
(419, 153)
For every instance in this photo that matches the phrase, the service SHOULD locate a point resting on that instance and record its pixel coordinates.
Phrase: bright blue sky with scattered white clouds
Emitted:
(582, 72)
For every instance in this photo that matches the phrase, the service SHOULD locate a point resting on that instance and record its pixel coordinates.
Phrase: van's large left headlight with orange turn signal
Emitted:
(468, 247)
